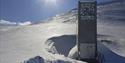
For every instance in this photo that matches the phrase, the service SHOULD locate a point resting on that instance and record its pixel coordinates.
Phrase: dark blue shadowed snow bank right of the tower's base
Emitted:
(108, 56)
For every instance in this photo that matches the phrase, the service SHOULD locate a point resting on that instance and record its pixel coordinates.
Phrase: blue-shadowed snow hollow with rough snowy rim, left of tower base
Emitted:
(56, 50)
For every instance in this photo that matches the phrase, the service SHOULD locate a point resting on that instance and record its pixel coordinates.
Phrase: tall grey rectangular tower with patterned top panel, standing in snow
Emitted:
(87, 30)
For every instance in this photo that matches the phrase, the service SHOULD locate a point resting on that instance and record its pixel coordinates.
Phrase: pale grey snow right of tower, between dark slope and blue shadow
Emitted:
(114, 36)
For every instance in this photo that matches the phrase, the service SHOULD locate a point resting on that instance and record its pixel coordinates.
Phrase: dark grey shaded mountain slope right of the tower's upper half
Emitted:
(112, 14)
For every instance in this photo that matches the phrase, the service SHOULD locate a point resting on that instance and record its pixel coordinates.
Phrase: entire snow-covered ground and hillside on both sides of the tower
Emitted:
(51, 42)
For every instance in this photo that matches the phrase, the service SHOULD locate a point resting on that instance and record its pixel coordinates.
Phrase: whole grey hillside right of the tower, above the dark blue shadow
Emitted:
(111, 22)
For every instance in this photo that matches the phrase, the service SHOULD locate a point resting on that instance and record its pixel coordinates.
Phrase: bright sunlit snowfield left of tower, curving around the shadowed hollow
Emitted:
(20, 43)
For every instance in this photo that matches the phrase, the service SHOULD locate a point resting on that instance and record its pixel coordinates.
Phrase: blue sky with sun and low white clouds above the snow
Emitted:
(34, 10)
